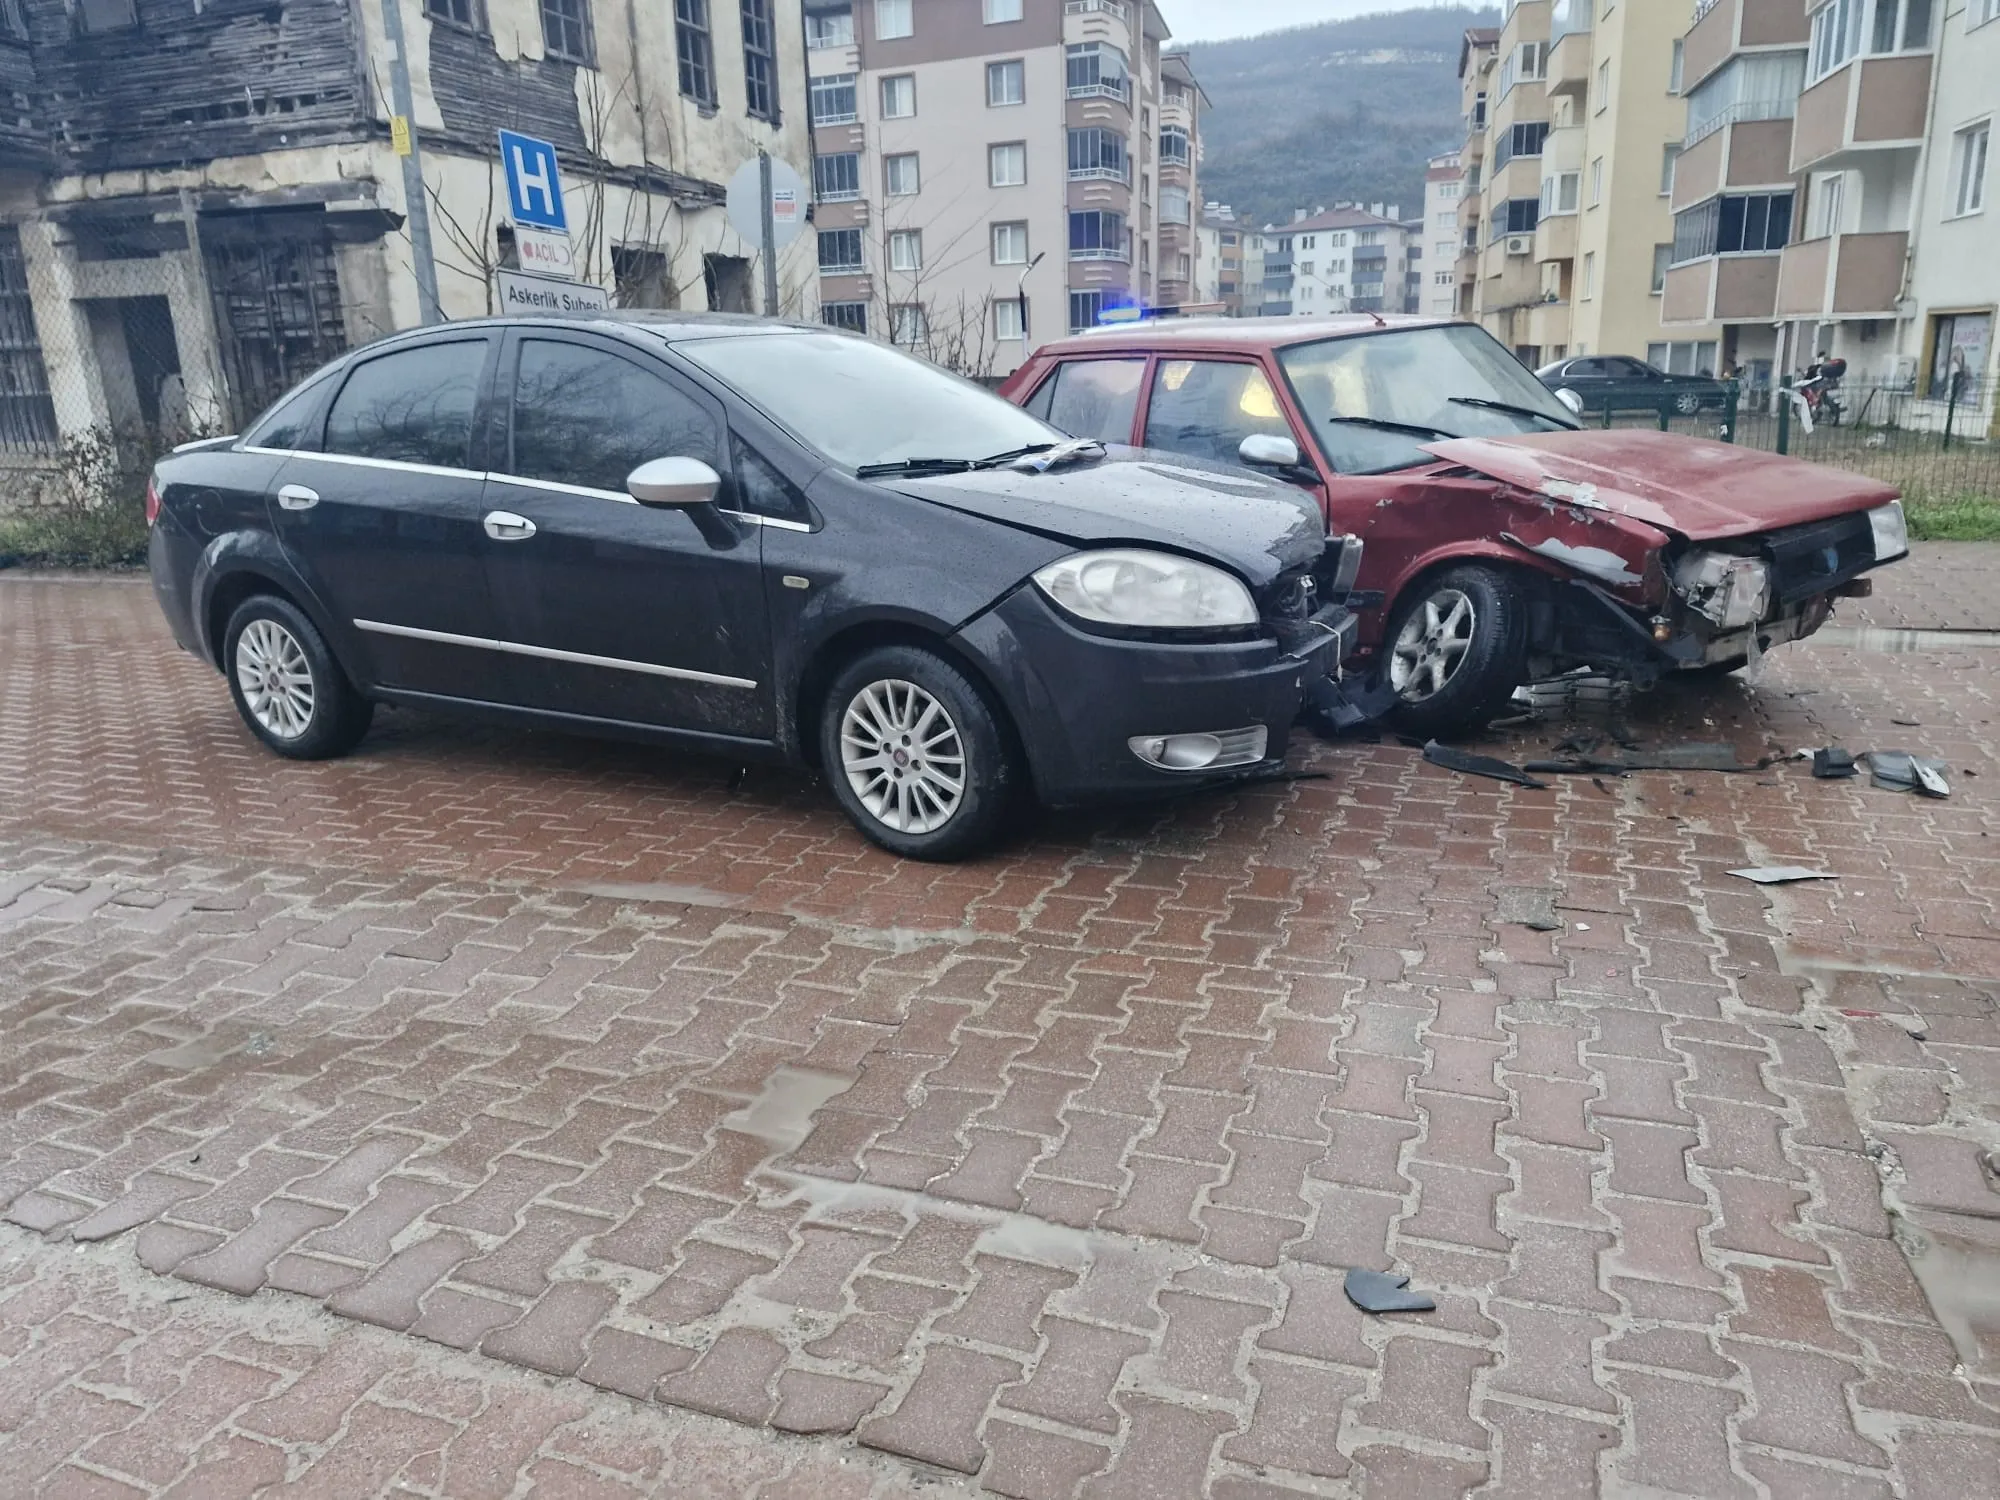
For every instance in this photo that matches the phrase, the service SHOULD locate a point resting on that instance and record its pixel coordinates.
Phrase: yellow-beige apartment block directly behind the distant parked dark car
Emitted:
(1573, 125)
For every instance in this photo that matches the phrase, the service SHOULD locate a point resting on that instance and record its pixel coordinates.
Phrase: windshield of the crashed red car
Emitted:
(1451, 381)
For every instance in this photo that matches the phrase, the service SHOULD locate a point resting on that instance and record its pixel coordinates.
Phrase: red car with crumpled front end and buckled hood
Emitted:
(1505, 543)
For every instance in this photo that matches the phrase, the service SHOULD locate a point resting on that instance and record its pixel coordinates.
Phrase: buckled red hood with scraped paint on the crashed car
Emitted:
(1703, 491)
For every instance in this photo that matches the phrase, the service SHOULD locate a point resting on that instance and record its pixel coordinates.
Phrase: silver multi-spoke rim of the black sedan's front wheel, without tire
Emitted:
(903, 757)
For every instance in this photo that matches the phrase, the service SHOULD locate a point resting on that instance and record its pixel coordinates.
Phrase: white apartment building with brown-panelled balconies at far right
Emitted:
(1835, 189)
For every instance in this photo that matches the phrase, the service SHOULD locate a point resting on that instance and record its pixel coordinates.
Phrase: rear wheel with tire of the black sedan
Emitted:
(287, 683)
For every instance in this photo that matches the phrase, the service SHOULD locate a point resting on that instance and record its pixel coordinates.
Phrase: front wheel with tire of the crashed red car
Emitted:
(1479, 679)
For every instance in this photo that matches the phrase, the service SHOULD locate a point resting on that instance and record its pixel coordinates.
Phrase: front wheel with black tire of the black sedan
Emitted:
(893, 691)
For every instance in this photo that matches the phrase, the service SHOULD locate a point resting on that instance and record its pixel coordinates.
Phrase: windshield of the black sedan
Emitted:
(865, 403)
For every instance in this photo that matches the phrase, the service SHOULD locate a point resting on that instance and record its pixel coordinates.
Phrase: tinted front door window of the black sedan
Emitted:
(587, 417)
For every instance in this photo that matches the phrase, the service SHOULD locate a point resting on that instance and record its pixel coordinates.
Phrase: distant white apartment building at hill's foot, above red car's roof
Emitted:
(1345, 259)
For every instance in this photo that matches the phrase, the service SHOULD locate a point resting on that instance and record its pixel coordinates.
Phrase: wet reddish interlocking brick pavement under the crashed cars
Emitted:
(1039, 1171)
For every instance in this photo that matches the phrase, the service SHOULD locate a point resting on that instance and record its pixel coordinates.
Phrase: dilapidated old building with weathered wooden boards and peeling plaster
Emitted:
(203, 205)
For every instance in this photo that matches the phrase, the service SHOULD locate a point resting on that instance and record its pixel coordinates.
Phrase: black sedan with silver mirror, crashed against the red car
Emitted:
(753, 539)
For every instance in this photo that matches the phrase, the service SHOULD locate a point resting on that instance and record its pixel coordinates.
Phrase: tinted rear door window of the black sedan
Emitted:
(413, 407)
